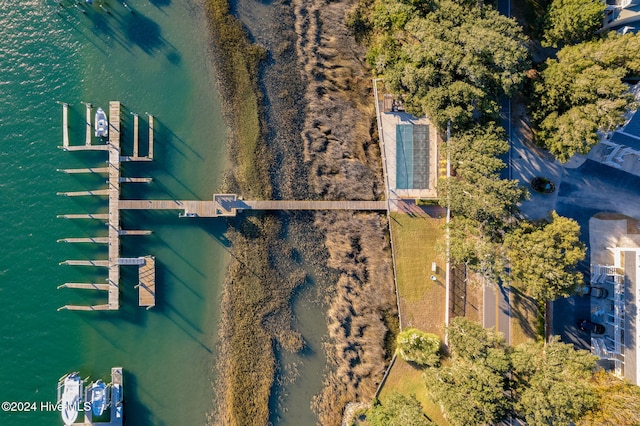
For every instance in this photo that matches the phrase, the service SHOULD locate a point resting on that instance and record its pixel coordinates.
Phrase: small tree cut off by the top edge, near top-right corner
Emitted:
(572, 21)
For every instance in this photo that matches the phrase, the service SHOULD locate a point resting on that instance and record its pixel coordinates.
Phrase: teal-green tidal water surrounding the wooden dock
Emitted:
(154, 60)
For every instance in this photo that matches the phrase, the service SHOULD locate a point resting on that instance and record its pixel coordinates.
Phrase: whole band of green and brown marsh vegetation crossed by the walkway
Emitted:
(330, 154)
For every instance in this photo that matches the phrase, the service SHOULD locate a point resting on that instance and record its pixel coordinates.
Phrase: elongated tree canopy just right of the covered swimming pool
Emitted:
(482, 203)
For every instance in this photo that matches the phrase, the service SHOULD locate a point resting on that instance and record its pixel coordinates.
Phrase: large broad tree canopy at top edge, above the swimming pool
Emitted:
(452, 60)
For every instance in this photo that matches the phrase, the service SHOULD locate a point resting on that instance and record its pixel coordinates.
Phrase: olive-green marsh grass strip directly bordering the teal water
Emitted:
(256, 313)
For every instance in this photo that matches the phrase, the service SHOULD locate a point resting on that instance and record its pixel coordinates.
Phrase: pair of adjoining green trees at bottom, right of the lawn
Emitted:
(485, 380)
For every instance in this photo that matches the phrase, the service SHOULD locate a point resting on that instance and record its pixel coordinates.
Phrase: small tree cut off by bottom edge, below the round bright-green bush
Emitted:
(398, 410)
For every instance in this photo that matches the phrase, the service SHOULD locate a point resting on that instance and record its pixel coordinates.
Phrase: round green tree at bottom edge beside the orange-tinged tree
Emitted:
(551, 382)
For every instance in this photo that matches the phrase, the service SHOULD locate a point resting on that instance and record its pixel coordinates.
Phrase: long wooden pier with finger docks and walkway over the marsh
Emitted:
(219, 205)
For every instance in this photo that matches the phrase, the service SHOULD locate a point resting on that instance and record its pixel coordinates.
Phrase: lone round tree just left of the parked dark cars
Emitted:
(544, 258)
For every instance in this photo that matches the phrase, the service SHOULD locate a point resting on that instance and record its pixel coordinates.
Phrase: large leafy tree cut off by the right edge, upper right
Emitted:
(582, 92)
